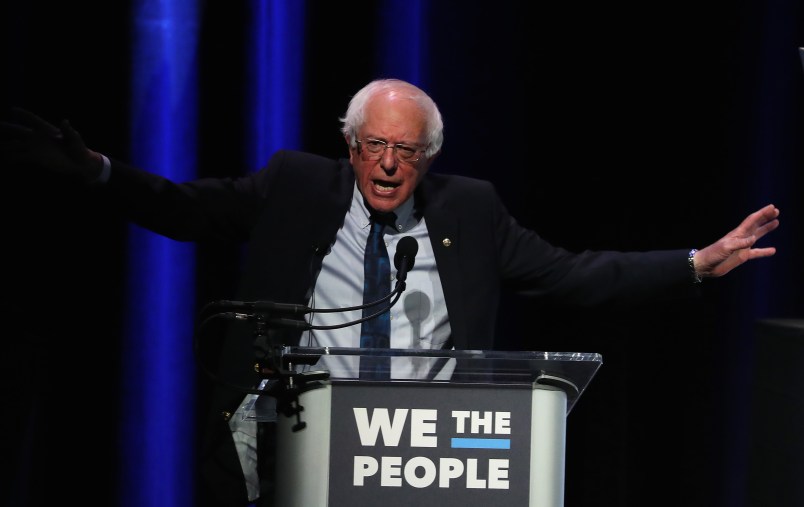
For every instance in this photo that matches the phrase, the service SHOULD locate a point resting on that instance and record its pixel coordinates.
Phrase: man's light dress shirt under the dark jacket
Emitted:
(419, 318)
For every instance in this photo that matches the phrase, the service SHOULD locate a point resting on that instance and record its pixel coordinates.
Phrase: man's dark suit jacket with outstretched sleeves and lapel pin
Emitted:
(289, 212)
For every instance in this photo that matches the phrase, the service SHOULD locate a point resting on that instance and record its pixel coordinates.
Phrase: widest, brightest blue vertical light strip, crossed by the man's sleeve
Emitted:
(157, 429)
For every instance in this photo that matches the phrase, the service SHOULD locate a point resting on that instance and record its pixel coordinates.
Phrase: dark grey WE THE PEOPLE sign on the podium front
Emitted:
(463, 444)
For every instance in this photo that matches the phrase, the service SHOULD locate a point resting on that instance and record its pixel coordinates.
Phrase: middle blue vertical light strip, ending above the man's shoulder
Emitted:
(275, 76)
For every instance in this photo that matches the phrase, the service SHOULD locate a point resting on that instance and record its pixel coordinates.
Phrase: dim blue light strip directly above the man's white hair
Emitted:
(404, 57)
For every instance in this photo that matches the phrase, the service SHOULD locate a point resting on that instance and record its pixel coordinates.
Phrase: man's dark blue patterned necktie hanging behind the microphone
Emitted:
(376, 332)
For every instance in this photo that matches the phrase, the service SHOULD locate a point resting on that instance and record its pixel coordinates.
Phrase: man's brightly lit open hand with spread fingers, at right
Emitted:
(735, 248)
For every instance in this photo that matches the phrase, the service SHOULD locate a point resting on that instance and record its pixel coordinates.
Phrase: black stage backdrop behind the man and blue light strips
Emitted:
(633, 126)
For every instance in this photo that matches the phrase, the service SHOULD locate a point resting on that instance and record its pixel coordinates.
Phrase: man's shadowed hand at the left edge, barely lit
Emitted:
(29, 141)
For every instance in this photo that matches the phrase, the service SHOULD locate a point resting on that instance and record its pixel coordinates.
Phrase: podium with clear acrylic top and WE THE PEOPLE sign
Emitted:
(450, 428)
